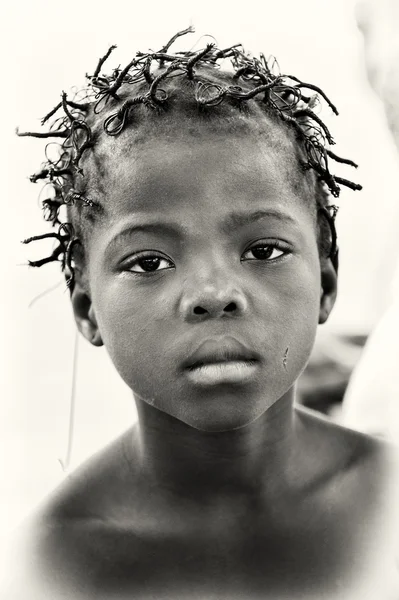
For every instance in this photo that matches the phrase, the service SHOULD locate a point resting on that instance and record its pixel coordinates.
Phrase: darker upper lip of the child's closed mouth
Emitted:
(220, 350)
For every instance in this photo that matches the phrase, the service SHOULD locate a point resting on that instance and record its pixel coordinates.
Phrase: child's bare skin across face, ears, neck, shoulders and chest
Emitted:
(222, 490)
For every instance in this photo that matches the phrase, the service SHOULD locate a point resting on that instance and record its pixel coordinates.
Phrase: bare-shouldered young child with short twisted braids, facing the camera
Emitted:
(199, 247)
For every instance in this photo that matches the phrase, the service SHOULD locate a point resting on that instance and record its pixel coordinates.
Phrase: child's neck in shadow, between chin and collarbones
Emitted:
(186, 460)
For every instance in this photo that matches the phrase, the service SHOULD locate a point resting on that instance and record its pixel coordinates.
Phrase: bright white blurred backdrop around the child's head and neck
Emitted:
(47, 47)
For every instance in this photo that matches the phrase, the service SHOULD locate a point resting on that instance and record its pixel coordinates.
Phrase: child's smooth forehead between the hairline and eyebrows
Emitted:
(200, 171)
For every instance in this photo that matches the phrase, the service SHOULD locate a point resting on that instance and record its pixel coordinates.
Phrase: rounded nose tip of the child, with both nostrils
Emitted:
(217, 300)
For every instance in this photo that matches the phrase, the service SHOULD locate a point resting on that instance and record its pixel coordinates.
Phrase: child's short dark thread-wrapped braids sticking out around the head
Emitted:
(110, 103)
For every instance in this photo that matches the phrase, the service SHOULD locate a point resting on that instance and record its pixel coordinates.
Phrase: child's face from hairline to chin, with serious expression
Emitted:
(205, 239)
